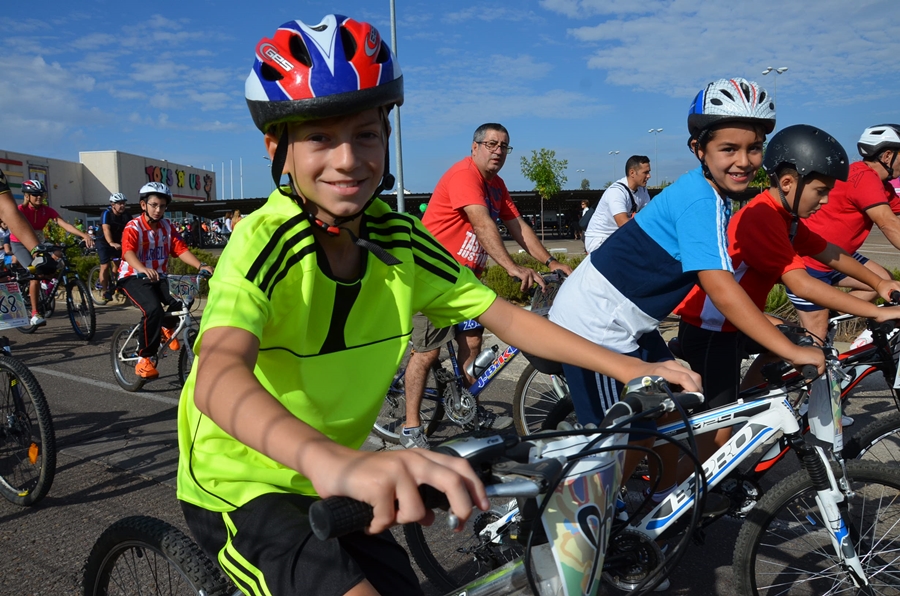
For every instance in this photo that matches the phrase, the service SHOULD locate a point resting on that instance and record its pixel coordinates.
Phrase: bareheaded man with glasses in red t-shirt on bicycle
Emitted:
(462, 215)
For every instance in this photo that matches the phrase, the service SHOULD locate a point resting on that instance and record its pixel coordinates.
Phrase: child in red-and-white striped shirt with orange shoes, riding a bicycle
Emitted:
(147, 242)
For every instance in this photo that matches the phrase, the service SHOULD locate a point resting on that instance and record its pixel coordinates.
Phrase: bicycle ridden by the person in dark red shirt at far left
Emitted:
(79, 305)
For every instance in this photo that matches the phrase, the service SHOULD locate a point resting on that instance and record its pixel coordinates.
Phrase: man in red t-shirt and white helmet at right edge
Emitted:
(866, 197)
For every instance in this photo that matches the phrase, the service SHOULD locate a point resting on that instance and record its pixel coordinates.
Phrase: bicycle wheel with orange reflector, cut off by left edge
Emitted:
(27, 438)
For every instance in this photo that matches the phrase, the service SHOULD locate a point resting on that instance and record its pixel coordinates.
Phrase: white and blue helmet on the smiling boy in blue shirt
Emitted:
(731, 100)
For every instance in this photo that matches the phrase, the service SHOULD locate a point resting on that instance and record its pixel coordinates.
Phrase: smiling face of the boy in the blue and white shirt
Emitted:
(733, 155)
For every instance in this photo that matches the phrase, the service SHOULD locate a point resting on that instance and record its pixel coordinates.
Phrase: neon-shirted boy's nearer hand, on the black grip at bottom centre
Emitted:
(389, 482)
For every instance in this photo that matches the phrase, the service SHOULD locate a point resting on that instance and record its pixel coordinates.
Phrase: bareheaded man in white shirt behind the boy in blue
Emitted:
(619, 202)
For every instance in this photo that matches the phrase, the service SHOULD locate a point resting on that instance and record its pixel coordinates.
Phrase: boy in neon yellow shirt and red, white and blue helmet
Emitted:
(307, 320)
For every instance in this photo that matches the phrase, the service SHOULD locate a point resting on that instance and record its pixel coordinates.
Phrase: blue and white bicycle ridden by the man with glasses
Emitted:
(445, 392)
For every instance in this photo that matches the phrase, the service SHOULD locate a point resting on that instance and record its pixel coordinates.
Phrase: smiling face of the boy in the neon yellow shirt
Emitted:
(336, 164)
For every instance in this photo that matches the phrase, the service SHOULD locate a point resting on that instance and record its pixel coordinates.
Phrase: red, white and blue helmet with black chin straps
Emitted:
(336, 68)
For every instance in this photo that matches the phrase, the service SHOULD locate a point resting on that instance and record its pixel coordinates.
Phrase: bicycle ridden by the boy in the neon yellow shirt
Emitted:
(141, 555)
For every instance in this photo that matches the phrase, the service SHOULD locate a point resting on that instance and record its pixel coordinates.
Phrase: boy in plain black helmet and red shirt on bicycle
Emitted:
(767, 243)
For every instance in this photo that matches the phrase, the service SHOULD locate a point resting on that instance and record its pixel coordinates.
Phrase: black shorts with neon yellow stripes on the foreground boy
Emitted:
(267, 547)
